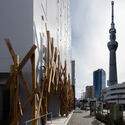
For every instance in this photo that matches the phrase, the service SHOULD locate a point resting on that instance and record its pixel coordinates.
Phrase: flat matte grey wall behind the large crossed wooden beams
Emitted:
(17, 24)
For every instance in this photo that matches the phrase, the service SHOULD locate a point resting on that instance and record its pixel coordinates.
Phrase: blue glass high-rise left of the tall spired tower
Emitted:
(99, 82)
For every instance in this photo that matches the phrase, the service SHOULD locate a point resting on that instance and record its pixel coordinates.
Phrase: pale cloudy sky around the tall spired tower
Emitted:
(90, 21)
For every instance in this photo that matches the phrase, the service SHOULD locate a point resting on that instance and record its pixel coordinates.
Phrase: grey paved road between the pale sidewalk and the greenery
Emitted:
(83, 118)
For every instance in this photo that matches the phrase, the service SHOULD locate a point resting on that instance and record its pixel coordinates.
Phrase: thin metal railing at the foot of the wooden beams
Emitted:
(38, 119)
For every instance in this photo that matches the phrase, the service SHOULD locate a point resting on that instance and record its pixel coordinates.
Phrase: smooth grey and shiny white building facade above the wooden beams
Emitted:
(25, 22)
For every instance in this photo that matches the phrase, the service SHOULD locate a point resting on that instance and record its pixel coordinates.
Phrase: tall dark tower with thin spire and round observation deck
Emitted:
(112, 46)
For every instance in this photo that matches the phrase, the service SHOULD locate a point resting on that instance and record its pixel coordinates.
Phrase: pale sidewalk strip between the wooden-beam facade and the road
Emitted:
(60, 120)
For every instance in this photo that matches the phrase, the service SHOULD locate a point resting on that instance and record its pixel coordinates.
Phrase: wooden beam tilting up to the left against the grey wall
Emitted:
(11, 50)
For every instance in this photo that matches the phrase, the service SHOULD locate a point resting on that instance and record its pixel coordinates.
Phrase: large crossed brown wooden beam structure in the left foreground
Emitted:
(17, 110)
